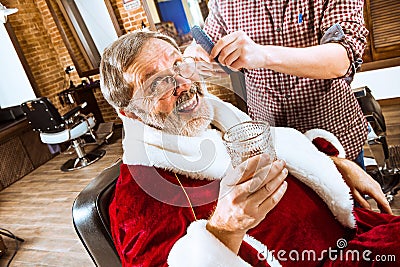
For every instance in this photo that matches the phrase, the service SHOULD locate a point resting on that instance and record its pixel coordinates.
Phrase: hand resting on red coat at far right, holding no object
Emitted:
(361, 183)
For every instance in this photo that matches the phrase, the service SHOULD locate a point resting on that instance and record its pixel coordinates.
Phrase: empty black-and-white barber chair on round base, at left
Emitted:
(56, 129)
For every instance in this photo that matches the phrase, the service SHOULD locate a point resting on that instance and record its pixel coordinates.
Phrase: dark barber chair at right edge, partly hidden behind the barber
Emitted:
(387, 172)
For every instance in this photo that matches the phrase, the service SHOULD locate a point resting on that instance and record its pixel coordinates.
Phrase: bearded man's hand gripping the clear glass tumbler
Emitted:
(247, 194)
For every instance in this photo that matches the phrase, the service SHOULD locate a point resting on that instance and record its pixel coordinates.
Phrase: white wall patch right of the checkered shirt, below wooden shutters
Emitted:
(384, 83)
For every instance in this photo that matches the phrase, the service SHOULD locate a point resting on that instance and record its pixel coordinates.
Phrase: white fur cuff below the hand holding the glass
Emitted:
(201, 248)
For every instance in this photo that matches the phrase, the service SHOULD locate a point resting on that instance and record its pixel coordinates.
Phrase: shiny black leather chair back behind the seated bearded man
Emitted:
(91, 219)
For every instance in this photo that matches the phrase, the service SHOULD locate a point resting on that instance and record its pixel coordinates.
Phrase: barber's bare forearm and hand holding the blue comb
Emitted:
(237, 51)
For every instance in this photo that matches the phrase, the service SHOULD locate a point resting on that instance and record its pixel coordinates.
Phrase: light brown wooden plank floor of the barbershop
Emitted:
(37, 208)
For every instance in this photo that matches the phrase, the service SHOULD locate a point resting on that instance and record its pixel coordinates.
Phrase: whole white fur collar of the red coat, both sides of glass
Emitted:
(205, 157)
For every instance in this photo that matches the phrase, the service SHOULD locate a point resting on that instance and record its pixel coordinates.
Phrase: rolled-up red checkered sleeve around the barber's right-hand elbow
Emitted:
(349, 15)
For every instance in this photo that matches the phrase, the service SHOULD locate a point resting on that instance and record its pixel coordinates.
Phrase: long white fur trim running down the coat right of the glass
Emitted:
(315, 169)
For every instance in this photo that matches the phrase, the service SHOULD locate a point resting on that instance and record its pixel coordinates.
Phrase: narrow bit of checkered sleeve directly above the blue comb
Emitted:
(214, 24)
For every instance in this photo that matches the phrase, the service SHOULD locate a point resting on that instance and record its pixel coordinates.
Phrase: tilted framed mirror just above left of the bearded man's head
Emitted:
(86, 27)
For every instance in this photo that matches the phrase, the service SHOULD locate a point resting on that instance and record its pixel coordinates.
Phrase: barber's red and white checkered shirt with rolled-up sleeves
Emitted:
(286, 100)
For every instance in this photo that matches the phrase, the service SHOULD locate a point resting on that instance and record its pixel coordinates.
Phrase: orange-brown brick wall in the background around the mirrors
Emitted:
(47, 55)
